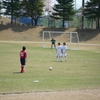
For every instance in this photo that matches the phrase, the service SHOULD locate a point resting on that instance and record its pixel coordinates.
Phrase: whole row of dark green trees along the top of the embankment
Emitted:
(63, 10)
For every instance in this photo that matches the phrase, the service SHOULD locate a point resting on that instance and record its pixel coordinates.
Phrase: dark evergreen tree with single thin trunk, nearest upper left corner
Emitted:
(11, 8)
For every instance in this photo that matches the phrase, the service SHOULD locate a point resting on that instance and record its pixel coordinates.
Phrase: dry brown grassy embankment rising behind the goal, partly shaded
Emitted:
(29, 33)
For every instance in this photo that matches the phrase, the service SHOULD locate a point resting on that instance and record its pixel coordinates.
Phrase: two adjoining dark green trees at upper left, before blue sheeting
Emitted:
(26, 8)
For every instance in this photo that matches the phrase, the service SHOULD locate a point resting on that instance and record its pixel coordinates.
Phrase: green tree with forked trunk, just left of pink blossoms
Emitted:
(33, 9)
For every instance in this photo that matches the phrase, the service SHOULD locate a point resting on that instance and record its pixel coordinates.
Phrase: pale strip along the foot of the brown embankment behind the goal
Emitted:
(84, 44)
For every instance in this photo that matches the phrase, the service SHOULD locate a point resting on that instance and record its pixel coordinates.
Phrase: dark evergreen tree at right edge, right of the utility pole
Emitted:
(92, 11)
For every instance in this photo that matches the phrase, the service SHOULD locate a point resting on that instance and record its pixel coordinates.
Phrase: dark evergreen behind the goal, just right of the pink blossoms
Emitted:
(63, 10)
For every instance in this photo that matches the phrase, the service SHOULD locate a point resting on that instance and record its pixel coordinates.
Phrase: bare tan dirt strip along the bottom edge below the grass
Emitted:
(62, 95)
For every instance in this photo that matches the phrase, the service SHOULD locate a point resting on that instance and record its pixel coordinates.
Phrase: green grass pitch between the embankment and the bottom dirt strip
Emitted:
(81, 71)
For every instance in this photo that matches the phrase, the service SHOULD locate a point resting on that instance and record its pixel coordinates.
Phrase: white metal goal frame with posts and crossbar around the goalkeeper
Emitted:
(62, 32)
